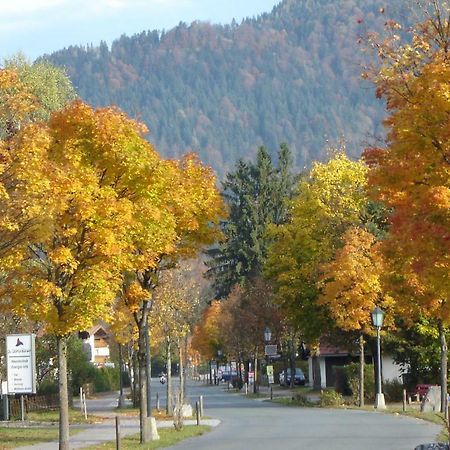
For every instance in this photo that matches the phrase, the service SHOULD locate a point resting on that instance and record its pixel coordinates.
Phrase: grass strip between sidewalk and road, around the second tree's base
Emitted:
(168, 437)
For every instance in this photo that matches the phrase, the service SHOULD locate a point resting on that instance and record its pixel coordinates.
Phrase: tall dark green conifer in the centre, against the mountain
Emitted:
(256, 195)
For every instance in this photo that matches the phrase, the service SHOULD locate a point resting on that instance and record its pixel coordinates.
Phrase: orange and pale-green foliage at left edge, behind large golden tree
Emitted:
(29, 93)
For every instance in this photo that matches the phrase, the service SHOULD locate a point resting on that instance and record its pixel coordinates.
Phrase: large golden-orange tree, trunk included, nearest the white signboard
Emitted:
(84, 178)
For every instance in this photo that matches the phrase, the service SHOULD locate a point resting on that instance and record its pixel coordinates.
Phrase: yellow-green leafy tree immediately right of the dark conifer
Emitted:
(330, 200)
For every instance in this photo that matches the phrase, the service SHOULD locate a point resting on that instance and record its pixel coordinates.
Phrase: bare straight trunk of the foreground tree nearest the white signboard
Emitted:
(63, 393)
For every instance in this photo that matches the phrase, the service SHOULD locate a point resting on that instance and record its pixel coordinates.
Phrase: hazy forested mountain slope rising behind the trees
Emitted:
(291, 75)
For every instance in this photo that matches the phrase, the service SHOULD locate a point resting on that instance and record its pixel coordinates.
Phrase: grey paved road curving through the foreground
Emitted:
(250, 424)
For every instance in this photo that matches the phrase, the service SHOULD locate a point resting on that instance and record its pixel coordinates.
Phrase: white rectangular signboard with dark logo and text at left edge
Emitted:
(21, 364)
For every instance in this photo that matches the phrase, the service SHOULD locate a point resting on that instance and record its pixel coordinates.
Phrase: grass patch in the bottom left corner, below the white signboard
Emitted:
(20, 436)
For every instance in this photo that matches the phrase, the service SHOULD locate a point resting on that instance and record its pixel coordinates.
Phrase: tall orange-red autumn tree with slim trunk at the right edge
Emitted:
(411, 175)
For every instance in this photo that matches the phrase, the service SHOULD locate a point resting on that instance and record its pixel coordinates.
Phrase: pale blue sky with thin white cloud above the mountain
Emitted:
(37, 27)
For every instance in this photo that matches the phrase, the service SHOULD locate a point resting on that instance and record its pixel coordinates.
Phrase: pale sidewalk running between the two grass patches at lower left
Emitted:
(106, 431)
